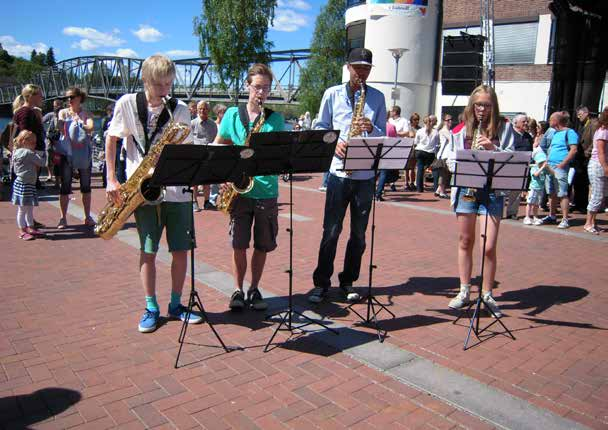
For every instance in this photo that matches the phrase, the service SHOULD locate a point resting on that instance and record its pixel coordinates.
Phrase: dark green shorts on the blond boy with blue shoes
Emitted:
(151, 221)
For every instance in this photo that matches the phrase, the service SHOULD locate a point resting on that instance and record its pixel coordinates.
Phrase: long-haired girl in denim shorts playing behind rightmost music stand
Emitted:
(495, 134)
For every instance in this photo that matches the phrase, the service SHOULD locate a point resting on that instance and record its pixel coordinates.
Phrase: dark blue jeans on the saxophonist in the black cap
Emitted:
(342, 192)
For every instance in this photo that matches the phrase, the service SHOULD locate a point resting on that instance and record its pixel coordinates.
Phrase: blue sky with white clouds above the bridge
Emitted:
(134, 28)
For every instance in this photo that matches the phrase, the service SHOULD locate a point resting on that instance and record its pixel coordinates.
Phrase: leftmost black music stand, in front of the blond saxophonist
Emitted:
(191, 165)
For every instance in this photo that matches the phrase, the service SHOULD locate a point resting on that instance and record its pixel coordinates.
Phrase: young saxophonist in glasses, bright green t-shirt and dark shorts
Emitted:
(258, 207)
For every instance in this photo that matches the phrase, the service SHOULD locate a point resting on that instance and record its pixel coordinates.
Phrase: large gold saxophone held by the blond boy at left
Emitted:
(137, 189)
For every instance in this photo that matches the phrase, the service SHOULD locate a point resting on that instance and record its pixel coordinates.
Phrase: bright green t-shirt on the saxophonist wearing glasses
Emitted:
(265, 187)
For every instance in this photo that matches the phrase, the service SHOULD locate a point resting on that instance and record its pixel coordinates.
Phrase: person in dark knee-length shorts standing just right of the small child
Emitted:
(76, 153)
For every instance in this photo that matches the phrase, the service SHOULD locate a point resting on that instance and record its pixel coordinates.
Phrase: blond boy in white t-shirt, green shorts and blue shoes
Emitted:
(174, 213)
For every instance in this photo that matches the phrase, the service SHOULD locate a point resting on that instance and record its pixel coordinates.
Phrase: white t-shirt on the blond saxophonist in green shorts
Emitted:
(125, 124)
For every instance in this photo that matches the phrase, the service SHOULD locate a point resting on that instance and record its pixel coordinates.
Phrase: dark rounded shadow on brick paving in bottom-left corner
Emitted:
(24, 410)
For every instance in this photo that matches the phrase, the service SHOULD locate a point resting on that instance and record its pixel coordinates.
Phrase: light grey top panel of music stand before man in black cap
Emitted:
(361, 152)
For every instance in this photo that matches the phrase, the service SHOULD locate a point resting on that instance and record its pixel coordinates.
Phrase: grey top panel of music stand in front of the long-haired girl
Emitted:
(511, 169)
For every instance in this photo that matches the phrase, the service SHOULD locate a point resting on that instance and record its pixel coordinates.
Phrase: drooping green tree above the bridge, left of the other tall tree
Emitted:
(233, 34)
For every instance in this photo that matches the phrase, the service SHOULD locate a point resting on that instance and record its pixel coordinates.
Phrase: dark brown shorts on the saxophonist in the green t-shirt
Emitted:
(262, 214)
